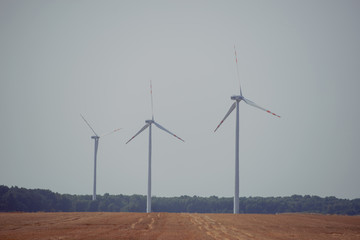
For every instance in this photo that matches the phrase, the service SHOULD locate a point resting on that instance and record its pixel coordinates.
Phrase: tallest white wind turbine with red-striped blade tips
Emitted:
(237, 99)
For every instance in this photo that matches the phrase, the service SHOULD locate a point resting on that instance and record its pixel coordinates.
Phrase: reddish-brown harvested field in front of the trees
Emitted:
(176, 226)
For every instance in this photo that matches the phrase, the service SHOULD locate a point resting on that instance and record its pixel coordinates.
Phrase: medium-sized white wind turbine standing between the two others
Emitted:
(148, 125)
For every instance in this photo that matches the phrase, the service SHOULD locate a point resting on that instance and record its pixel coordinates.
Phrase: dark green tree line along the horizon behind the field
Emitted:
(35, 200)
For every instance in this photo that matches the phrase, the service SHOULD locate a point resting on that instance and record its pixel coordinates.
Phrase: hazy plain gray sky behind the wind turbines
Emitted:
(300, 59)
